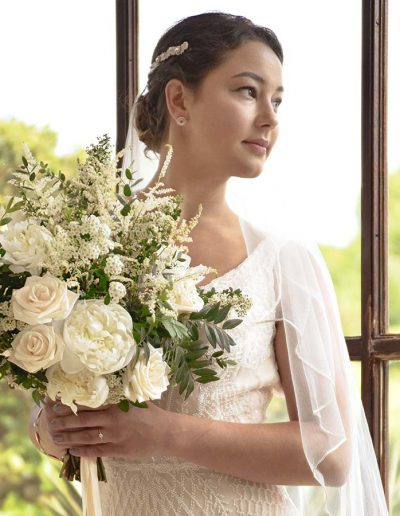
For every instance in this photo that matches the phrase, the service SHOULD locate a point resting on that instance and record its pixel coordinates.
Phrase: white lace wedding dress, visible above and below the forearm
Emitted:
(166, 486)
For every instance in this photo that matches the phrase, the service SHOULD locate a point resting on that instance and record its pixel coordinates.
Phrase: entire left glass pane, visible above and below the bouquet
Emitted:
(58, 92)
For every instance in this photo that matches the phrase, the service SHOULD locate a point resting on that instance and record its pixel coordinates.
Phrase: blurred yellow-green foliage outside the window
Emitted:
(29, 482)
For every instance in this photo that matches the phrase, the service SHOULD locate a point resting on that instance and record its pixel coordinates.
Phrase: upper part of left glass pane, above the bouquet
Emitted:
(59, 82)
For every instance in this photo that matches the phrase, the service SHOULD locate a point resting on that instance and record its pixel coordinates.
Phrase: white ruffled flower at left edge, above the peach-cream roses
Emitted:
(25, 244)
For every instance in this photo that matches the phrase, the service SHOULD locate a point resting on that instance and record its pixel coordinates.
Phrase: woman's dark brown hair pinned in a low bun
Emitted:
(210, 36)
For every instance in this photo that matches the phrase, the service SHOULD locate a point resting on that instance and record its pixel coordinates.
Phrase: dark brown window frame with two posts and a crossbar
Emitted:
(375, 347)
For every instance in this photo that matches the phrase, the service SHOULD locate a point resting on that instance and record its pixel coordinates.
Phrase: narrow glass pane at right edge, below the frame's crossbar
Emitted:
(394, 437)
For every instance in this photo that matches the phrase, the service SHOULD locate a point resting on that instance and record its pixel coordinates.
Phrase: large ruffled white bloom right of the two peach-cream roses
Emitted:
(99, 337)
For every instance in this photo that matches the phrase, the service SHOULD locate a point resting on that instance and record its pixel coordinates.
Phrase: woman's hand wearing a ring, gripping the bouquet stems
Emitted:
(108, 431)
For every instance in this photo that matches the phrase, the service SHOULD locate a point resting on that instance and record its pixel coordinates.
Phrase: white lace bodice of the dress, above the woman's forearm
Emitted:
(244, 390)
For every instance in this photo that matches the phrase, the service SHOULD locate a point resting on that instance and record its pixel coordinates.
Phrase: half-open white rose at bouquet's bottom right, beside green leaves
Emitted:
(146, 382)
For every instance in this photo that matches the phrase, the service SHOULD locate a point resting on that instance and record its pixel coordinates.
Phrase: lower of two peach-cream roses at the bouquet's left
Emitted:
(36, 348)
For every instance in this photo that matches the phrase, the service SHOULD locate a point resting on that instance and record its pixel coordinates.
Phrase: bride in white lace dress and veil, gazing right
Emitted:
(213, 92)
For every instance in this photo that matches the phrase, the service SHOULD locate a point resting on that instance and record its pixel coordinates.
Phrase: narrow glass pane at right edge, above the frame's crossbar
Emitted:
(393, 117)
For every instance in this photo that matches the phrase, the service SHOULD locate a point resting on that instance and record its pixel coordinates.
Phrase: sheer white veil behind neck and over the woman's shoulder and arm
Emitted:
(334, 431)
